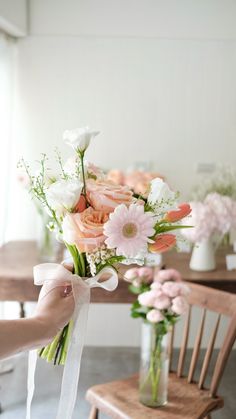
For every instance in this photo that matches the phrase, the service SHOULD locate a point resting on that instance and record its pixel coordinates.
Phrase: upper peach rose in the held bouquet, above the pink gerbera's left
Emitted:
(106, 196)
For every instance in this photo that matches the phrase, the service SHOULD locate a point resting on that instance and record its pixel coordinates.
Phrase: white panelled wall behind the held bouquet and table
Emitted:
(156, 77)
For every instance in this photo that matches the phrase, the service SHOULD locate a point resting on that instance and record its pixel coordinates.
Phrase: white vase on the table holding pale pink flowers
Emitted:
(203, 256)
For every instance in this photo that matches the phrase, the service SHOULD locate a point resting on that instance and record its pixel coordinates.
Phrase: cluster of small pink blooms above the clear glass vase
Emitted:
(164, 298)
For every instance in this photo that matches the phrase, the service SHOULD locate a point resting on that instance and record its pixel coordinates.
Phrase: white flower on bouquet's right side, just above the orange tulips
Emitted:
(161, 195)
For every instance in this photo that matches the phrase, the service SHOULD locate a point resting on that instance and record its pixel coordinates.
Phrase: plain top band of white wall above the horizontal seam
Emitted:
(185, 19)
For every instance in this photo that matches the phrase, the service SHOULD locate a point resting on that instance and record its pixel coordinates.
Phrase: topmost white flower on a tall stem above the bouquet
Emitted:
(79, 138)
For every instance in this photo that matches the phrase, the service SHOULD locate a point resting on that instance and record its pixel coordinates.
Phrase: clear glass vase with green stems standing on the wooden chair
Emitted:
(154, 366)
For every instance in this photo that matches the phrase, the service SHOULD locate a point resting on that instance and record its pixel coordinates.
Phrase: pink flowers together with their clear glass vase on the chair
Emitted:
(161, 299)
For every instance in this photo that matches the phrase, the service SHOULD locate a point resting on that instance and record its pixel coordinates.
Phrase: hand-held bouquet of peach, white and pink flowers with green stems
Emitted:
(101, 223)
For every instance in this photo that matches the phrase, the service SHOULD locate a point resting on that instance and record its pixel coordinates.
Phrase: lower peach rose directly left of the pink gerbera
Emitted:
(85, 229)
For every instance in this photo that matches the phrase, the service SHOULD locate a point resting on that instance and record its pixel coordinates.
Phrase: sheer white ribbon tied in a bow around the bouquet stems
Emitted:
(81, 291)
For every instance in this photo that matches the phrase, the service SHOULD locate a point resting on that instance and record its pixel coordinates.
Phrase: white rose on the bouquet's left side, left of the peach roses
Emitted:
(63, 195)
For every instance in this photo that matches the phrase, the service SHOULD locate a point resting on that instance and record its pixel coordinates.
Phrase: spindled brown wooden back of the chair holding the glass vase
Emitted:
(223, 304)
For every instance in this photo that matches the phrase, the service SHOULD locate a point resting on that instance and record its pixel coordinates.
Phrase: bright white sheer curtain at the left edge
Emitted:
(7, 100)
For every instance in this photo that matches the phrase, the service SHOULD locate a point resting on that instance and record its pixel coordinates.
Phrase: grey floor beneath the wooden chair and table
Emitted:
(99, 365)
